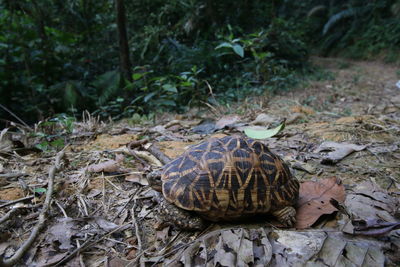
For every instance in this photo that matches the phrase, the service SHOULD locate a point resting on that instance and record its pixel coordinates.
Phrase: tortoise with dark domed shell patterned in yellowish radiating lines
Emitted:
(225, 179)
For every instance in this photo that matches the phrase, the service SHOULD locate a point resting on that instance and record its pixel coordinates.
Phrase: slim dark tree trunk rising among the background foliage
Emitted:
(125, 62)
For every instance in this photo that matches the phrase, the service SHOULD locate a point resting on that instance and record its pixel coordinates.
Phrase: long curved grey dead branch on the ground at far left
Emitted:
(42, 216)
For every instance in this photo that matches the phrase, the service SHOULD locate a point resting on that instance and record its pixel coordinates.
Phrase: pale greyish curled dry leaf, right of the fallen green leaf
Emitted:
(338, 151)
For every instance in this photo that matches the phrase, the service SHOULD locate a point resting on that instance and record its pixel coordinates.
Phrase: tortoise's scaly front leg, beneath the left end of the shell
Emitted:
(171, 214)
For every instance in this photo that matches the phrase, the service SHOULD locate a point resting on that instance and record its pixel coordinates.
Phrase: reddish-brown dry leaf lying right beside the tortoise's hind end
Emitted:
(314, 200)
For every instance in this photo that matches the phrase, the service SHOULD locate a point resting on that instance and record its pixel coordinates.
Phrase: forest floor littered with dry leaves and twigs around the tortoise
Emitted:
(342, 141)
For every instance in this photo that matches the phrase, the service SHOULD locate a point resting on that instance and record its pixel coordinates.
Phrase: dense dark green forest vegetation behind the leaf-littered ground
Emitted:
(120, 58)
